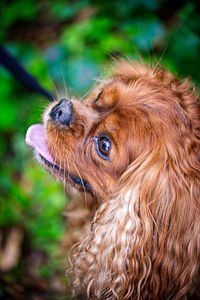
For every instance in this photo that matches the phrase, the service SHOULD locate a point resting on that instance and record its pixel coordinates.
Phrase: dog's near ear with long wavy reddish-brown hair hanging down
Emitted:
(146, 236)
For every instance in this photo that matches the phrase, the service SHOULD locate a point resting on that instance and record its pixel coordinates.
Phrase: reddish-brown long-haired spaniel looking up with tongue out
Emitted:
(133, 144)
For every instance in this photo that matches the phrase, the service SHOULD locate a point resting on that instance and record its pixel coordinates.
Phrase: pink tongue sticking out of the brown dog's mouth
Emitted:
(35, 137)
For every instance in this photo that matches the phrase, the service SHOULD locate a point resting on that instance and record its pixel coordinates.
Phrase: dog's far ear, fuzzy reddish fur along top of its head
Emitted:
(184, 90)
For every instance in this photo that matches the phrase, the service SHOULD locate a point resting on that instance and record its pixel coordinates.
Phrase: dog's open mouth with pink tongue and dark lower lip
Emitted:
(35, 137)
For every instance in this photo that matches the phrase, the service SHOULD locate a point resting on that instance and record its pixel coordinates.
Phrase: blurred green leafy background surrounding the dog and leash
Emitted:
(66, 44)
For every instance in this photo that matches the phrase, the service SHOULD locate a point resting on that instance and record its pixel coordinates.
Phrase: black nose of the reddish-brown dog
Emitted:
(62, 112)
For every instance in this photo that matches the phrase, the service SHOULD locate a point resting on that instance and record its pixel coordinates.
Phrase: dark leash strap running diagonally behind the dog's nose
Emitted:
(10, 63)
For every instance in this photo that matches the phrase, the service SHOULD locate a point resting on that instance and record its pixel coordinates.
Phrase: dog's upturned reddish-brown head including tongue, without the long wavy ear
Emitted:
(91, 143)
